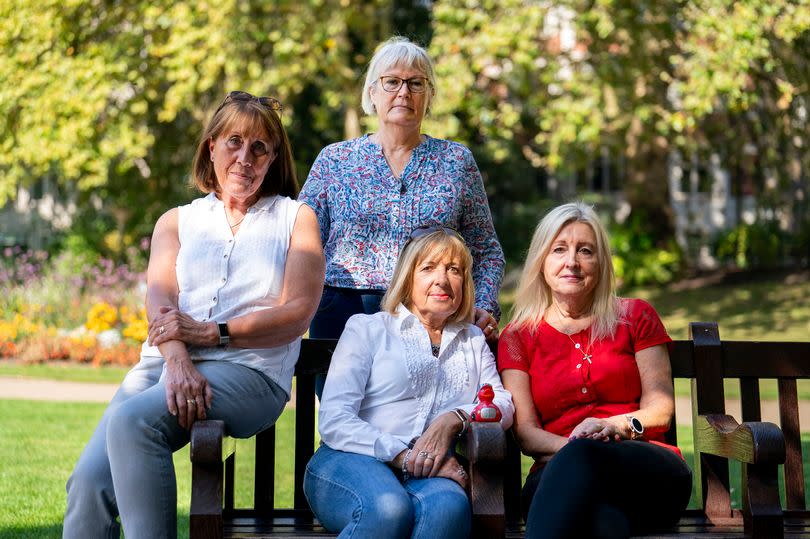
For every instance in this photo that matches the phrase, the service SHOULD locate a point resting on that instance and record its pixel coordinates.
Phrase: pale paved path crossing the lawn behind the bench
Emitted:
(51, 390)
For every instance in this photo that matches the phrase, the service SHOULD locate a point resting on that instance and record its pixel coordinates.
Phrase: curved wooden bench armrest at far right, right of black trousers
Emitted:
(752, 442)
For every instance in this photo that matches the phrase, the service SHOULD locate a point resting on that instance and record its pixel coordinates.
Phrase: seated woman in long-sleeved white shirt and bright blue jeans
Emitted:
(400, 389)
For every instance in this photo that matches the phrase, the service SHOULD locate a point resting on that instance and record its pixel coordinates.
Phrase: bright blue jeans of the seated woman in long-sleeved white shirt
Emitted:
(359, 496)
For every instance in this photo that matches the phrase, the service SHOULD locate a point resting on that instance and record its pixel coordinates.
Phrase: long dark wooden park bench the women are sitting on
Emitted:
(495, 470)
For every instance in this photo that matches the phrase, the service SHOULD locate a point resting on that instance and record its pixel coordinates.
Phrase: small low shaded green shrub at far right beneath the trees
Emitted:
(761, 245)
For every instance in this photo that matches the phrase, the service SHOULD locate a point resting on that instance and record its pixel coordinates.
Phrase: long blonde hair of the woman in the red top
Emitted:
(534, 294)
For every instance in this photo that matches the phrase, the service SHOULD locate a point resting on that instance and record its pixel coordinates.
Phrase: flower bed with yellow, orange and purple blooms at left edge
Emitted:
(70, 308)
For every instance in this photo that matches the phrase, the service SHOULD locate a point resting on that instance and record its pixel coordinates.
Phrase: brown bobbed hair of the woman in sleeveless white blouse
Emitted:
(280, 178)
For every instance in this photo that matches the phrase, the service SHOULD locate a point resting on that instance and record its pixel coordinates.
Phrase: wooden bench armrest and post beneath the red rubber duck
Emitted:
(484, 447)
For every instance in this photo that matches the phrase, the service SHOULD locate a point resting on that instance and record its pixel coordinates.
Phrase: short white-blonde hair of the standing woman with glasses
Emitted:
(393, 52)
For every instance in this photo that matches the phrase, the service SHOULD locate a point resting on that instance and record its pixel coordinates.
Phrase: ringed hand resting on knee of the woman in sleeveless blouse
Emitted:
(188, 394)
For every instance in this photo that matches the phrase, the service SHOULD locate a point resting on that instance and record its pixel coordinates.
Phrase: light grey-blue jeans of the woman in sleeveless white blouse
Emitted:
(127, 468)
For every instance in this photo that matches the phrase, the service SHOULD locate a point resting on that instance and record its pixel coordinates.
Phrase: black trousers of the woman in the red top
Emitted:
(606, 490)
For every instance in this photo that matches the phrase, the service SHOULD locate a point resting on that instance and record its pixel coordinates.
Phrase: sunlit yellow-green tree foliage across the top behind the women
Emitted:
(107, 98)
